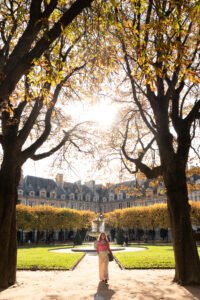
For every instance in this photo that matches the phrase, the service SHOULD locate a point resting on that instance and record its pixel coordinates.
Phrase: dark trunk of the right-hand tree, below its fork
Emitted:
(187, 264)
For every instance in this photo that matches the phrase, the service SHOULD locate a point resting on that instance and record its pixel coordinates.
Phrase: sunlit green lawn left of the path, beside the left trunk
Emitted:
(39, 258)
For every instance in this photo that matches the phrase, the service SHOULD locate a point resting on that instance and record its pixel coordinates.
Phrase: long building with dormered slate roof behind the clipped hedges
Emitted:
(88, 197)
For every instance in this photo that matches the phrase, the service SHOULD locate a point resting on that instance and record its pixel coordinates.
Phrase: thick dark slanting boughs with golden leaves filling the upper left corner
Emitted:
(27, 31)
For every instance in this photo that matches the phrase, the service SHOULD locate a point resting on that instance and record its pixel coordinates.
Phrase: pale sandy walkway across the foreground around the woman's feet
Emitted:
(83, 283)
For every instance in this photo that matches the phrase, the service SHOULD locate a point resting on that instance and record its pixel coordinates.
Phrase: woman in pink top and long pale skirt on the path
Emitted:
(103, 248)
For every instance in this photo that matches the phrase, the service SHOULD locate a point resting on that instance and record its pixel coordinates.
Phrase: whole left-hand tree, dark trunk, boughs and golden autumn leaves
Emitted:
(32, 79)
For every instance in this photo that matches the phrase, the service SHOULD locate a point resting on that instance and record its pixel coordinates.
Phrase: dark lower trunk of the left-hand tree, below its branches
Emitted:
(8, 233)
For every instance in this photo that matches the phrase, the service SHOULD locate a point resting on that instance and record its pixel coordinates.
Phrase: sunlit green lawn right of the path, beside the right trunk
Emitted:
(155, 257)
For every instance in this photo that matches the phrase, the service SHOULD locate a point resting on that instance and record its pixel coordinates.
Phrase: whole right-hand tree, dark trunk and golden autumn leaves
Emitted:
(158, 43)
